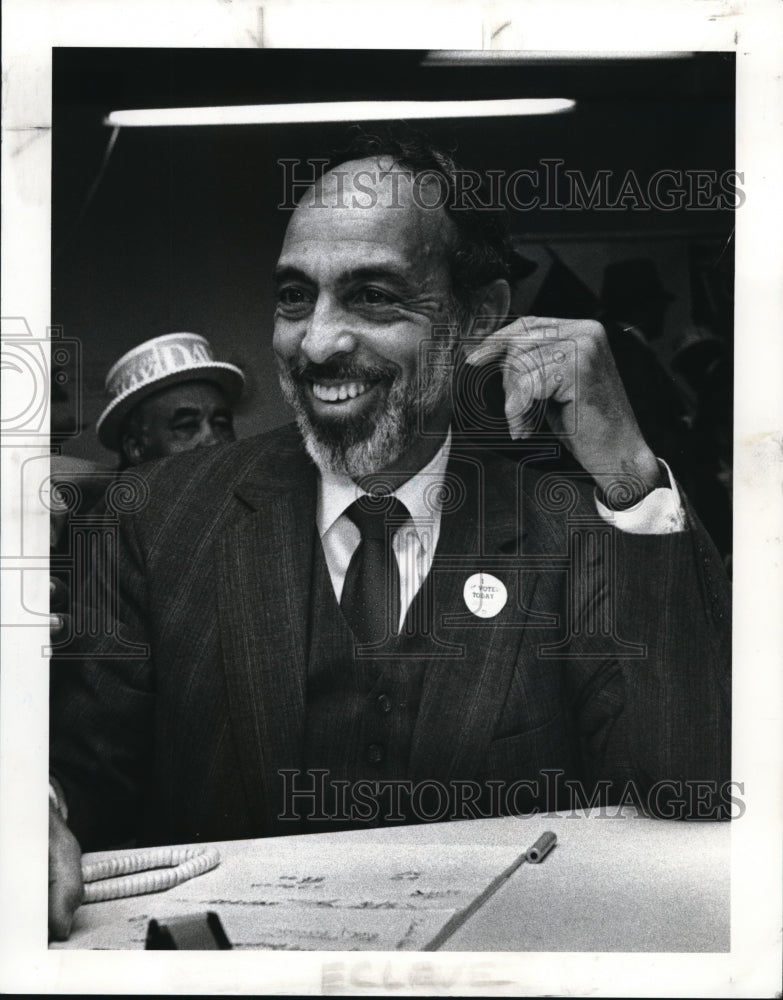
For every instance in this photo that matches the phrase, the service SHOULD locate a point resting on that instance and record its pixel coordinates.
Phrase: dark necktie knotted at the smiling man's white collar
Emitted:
(370, 599)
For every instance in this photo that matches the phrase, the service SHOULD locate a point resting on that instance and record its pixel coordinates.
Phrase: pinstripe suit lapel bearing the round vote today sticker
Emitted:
(463, 694)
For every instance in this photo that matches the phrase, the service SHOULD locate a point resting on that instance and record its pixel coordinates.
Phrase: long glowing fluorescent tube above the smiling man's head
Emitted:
(337, 111)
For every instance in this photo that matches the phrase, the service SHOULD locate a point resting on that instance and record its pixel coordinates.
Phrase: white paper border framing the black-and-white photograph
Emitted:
(753, 30)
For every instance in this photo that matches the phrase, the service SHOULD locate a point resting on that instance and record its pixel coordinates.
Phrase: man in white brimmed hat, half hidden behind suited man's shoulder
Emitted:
(168, 395)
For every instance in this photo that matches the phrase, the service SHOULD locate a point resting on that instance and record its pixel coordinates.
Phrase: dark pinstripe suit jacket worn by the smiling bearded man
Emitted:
(609, 660)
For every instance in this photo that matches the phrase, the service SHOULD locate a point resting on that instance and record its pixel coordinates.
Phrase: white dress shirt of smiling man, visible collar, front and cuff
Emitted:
(659, 513)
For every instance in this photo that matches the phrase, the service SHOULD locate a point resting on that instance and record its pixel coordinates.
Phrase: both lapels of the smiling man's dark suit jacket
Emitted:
(263, 580)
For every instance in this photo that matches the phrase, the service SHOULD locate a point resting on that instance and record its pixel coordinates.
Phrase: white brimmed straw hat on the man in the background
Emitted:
(163, 361)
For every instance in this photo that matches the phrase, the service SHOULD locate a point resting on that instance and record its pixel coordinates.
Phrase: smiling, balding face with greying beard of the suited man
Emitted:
(359, 289)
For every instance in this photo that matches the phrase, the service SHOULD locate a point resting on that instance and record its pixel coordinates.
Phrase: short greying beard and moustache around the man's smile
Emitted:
(371, 442)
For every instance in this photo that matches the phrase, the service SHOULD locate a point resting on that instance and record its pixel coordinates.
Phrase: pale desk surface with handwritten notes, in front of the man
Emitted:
(612, 883)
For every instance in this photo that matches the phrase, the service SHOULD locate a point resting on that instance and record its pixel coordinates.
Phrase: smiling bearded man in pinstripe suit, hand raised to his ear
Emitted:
(374, 600)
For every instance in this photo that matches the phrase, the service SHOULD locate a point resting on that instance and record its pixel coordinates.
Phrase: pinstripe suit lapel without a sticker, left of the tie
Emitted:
(263, 585)
